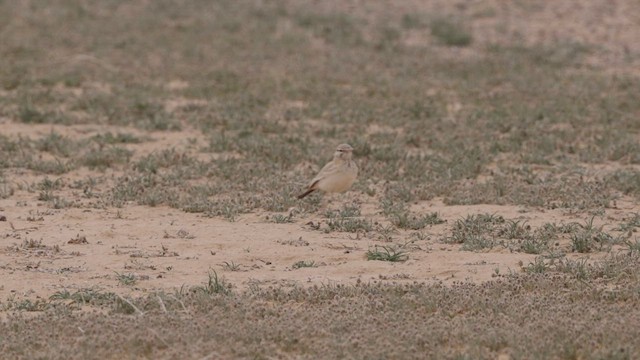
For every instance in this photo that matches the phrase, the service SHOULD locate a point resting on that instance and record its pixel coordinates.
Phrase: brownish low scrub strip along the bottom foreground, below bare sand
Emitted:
(350, 306)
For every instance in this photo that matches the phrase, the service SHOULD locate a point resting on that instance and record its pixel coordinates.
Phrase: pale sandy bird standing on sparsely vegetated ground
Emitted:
(338, 175)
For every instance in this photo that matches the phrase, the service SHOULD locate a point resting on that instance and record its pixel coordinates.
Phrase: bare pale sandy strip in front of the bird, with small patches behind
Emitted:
(165, 248)
